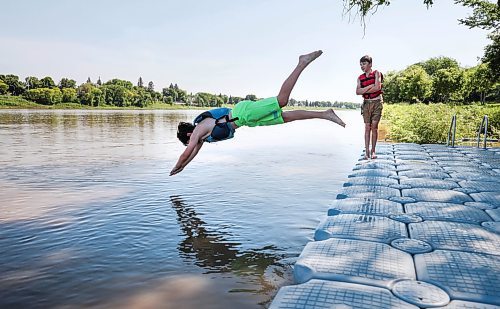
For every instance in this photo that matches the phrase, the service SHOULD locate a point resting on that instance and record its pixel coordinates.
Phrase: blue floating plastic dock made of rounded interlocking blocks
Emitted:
(418, 227)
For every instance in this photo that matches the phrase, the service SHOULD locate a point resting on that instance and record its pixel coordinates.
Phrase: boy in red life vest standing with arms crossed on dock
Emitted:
(370, 87)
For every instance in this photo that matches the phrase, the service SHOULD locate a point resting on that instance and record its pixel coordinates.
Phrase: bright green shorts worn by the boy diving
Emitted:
(264, 112)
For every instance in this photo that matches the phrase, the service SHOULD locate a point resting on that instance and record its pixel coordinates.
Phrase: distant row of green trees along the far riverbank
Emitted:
(122, 93)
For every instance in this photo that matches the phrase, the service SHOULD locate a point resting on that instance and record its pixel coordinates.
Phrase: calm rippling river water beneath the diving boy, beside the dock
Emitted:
(90, 218)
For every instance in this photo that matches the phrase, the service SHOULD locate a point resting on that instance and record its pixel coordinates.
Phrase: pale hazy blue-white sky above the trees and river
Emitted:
(233, 47)
